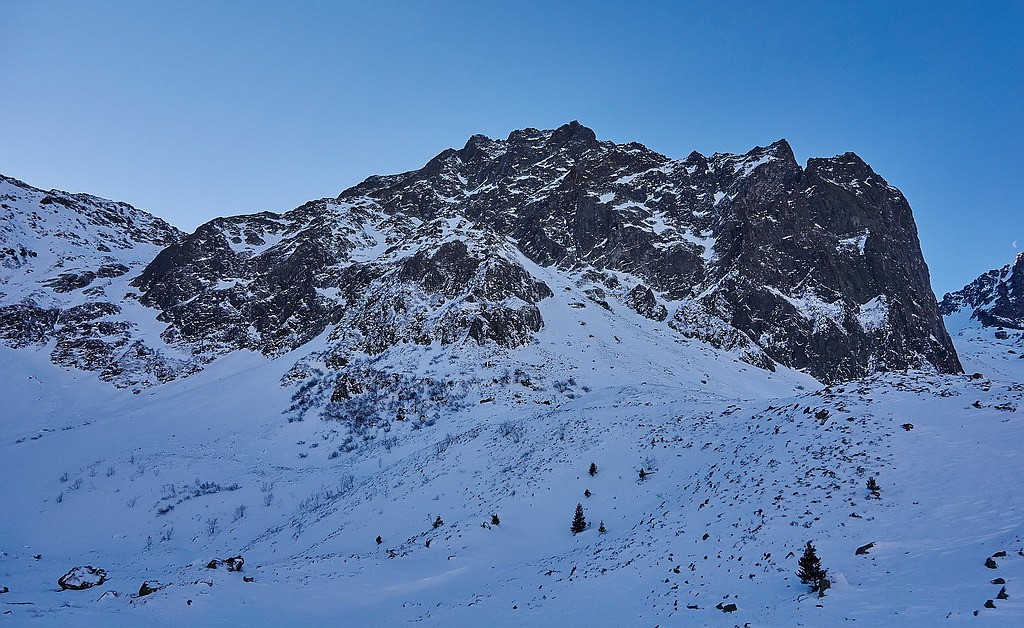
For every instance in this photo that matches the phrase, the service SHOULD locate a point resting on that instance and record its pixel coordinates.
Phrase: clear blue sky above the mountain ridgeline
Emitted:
(194, 110)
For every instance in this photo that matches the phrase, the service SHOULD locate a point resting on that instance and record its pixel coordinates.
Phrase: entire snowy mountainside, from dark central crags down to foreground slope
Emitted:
(389, 403)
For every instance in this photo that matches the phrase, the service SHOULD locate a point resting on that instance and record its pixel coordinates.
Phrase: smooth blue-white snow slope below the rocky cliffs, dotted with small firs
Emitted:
(745, 467)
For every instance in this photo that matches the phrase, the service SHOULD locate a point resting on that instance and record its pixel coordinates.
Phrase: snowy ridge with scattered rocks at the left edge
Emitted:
(65, 264)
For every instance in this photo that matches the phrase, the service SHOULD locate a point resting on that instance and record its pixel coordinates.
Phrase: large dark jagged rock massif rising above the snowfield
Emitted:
(819, 268)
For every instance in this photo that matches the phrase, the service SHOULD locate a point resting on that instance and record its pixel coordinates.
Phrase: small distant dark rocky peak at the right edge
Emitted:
(995, 300)
